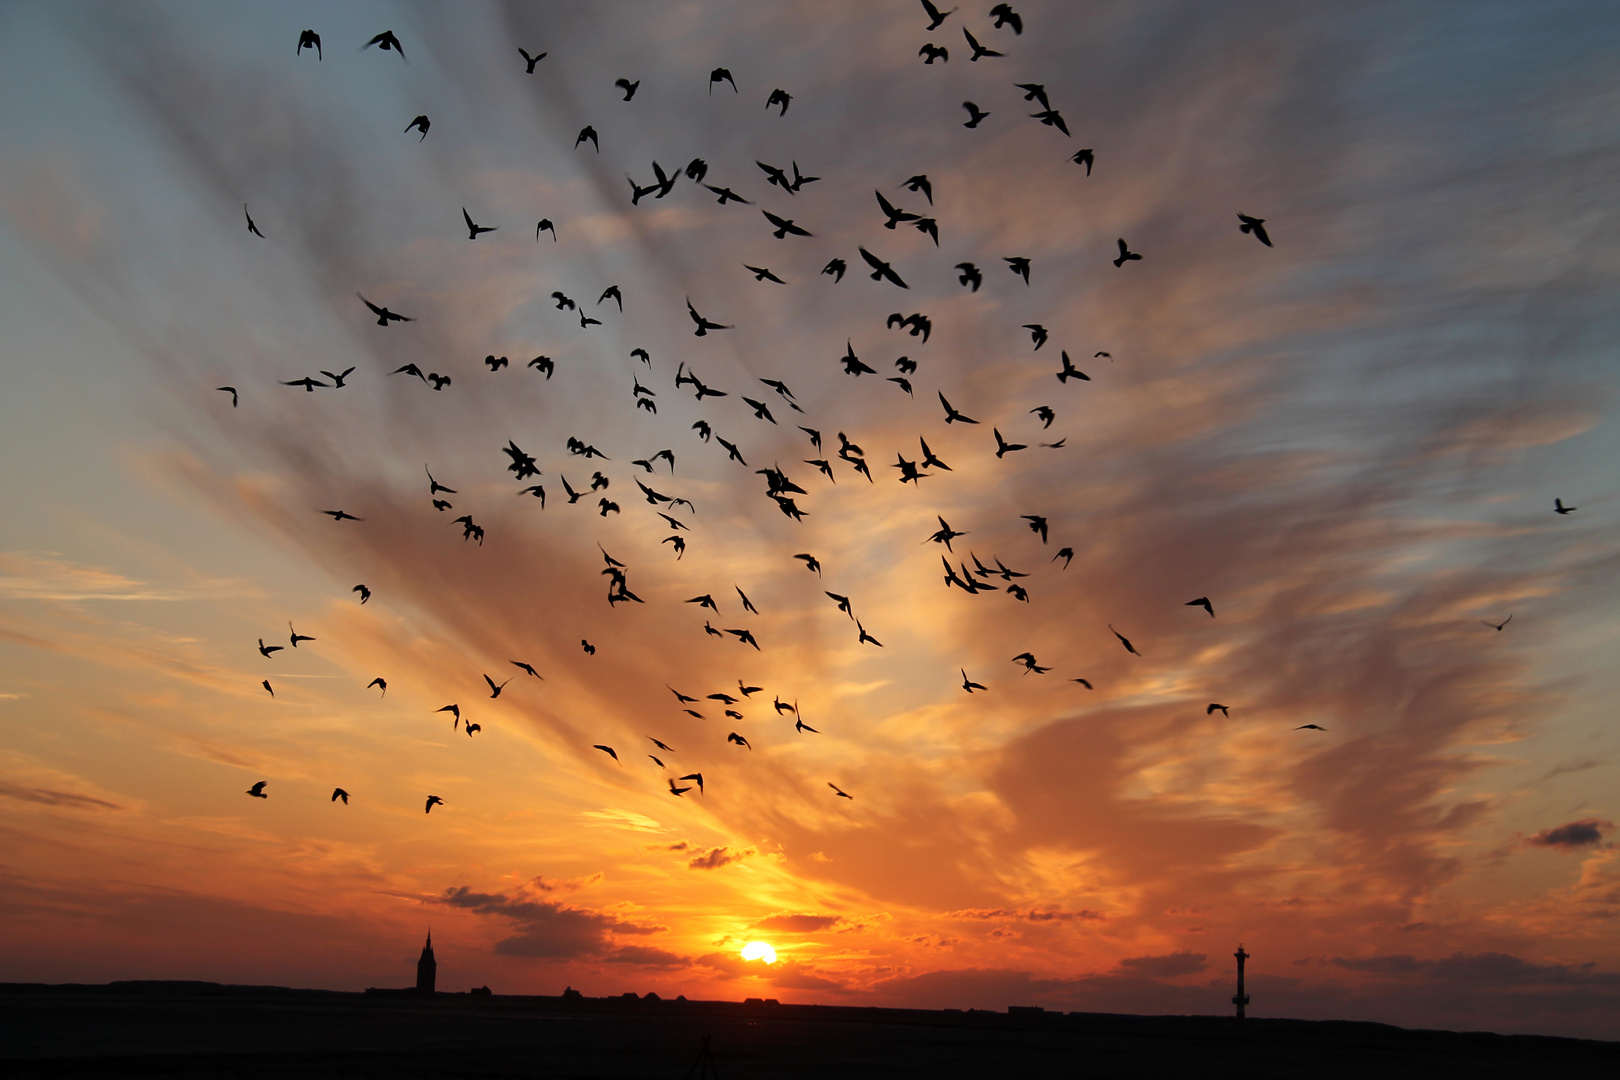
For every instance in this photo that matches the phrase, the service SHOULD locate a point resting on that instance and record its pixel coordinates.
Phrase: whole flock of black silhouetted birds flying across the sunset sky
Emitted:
(780, 488)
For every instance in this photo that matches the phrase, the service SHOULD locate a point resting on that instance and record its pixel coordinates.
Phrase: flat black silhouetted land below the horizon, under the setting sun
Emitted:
(208, 1031)
